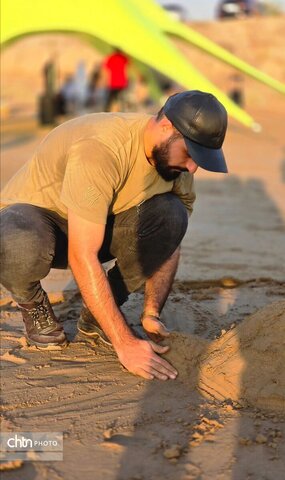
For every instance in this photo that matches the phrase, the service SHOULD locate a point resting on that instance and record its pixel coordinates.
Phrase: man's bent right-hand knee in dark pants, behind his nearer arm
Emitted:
(144, 238)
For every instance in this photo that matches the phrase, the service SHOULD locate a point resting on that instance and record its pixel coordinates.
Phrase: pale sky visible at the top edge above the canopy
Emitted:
(203, 9)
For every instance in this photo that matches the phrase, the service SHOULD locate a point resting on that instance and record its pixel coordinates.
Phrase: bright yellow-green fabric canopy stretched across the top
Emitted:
(136, 26)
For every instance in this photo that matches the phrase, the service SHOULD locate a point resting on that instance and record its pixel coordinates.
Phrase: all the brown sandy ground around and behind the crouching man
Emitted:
(223, 418)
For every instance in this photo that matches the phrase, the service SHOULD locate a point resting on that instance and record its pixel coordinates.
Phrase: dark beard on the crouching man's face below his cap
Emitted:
(160, 155)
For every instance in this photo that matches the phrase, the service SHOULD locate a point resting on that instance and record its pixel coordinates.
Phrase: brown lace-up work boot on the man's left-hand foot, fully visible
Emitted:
(42, 327)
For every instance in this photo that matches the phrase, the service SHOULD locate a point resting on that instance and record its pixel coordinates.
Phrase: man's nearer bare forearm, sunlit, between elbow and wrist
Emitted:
(94, 286)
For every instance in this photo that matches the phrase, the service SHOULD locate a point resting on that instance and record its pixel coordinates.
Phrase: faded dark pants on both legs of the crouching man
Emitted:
(34, 240)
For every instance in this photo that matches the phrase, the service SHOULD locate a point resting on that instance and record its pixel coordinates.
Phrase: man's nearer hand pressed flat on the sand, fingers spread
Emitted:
(140, 357)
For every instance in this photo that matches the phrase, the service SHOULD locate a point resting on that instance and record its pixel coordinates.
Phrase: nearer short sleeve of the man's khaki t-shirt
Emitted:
(90, 180)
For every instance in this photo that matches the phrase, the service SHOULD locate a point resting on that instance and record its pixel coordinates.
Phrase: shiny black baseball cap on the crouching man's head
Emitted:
(202, 120)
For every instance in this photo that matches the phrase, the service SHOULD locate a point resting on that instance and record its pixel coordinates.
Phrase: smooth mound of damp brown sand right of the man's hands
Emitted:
(246, 364)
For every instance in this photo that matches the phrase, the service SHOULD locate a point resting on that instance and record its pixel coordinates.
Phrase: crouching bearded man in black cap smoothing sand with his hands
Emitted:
(109, 186)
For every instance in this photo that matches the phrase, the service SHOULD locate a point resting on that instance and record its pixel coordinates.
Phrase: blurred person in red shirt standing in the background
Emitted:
(116, 69)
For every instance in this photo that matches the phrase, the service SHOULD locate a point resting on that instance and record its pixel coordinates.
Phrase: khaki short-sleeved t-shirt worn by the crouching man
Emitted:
(94, 165)
